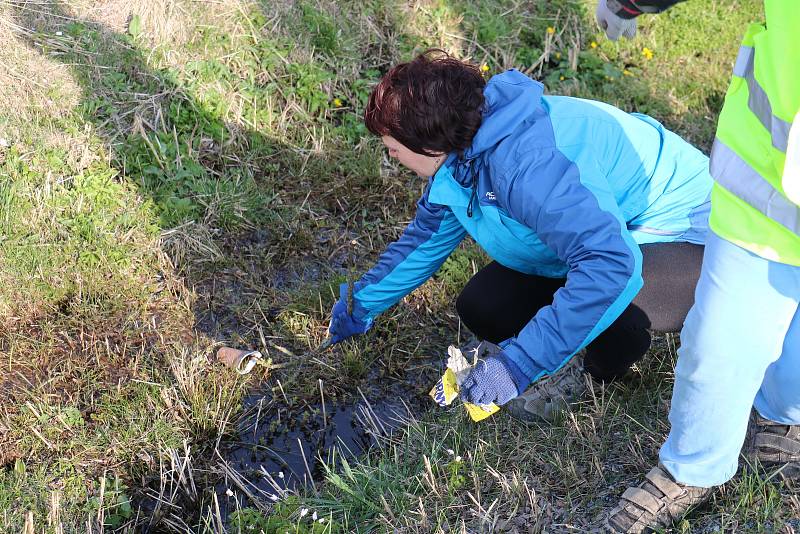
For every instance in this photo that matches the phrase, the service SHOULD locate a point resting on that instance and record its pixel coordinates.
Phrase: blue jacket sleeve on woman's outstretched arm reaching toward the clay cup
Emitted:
(408, 262)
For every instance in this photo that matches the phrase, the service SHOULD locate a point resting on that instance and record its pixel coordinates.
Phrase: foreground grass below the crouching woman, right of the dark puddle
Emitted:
(506, 476)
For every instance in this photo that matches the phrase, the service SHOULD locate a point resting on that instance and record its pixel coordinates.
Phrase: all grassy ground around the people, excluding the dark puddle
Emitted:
(177, 175)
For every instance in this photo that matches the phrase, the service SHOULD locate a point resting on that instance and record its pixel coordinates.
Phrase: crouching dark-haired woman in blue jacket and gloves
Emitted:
(595, 219)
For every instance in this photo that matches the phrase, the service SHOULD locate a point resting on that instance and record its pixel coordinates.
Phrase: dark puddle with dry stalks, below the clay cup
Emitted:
(278, 448)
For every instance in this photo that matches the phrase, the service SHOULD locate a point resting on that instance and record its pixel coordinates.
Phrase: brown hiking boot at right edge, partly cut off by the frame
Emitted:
(774, 444)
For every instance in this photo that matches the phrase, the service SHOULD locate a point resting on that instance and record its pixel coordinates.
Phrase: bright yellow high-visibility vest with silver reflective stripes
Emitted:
(755, 161)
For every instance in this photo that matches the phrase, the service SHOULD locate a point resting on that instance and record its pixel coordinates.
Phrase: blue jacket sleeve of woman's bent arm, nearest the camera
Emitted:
(575, 214)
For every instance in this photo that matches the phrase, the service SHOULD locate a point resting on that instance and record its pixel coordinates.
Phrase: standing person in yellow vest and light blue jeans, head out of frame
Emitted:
(737, 381)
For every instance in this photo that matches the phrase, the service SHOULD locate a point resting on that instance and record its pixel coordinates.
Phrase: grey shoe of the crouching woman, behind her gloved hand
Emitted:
(549, 396)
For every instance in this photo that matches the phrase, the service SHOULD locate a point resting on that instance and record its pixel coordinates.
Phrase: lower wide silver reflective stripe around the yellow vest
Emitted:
(734, 174)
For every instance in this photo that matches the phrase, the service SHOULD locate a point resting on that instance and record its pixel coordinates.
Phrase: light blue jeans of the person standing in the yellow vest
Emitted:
(740, 347)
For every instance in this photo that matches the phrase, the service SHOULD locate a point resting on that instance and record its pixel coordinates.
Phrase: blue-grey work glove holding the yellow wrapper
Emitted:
(495, 379)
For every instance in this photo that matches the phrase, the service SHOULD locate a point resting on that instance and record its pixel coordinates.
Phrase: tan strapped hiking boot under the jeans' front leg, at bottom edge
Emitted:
(657, 502)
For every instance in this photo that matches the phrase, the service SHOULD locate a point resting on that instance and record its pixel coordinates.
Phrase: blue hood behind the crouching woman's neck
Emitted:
(510, 99)
